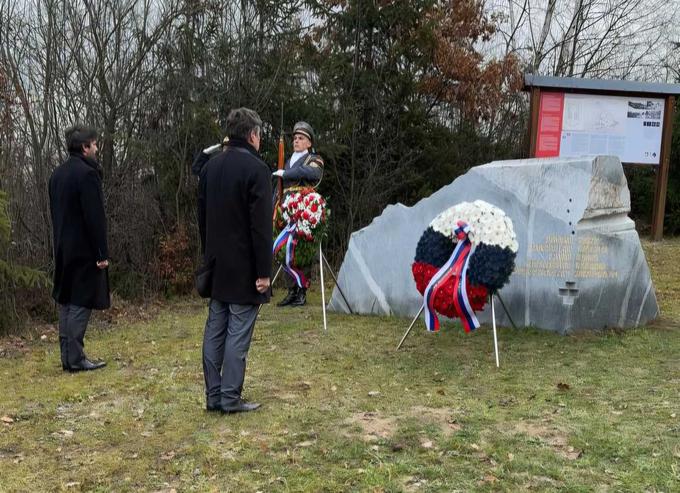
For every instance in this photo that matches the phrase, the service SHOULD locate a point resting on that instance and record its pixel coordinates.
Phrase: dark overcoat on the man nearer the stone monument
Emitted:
(235, 221)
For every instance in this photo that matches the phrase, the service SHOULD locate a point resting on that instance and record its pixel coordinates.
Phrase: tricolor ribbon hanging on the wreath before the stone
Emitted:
(455, 267)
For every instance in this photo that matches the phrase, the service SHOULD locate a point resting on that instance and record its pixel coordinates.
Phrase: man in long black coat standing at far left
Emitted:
(81, 280)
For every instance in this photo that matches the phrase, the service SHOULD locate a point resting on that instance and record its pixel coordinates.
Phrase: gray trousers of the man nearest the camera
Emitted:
(226, 341)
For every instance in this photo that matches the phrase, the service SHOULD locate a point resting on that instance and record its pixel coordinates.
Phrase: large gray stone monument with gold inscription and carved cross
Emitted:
(580, 264)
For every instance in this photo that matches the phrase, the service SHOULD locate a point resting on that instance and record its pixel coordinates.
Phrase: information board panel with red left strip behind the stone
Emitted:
(577, 124)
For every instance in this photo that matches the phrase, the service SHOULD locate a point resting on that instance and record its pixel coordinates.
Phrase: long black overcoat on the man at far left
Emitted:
(79, 233)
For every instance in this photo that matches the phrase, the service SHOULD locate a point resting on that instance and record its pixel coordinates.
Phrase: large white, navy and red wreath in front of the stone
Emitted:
(466, 253)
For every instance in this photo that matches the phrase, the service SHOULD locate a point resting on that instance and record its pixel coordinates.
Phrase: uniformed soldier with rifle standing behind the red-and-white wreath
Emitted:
(304, 169)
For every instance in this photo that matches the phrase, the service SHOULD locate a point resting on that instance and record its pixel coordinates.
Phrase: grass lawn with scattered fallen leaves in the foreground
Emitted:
(342, 411)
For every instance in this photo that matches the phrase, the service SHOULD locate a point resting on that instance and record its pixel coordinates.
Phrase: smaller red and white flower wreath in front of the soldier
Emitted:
(308, 211)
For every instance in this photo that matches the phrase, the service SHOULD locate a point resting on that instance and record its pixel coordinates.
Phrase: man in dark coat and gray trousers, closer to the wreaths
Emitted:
(234, 210)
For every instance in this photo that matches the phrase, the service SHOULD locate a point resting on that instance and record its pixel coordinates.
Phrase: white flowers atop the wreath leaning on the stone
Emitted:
(488, 224)
